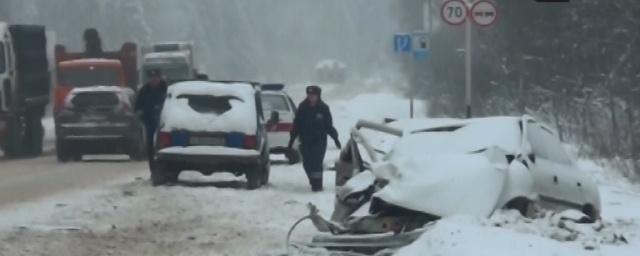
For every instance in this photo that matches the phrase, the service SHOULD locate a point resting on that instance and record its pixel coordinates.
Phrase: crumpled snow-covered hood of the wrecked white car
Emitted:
(444, 185)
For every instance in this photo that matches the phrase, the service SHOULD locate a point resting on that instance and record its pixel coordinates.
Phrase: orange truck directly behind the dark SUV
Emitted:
(82, 69)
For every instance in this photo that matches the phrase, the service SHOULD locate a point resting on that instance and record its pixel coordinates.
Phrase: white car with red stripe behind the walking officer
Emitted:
(281, 110)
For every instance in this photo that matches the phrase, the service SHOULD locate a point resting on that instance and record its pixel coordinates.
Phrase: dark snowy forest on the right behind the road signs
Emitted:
(575, 65)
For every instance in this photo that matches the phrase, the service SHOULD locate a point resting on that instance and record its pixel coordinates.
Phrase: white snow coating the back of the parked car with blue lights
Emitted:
(177, 114)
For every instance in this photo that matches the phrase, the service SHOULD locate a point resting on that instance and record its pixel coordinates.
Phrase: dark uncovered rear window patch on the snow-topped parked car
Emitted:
(208, 103)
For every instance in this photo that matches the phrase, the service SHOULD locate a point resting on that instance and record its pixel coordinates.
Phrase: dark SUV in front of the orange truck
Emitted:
(99, 120)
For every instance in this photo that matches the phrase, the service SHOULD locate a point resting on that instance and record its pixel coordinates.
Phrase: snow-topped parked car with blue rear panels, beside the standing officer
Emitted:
(212, 127)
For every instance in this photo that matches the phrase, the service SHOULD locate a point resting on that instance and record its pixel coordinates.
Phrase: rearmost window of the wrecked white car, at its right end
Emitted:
(546, 145)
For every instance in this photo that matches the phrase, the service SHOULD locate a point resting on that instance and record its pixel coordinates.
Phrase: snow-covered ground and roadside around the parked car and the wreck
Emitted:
(216, 216)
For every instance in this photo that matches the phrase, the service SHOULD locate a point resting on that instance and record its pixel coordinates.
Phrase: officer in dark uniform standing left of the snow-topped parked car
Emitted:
(149, 104)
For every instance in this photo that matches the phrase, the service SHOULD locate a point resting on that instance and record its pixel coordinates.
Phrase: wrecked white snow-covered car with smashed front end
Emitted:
(407, 173)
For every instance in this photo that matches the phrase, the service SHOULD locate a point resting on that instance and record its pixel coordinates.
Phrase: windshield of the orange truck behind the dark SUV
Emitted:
(83, 77)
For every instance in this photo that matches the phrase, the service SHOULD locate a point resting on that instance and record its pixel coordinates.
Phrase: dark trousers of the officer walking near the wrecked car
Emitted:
(312, 161)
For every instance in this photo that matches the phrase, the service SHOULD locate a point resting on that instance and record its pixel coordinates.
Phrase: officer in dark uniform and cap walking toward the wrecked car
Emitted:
(312, 124)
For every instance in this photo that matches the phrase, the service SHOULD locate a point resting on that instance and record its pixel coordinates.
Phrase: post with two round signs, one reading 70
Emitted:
(482, 13)
